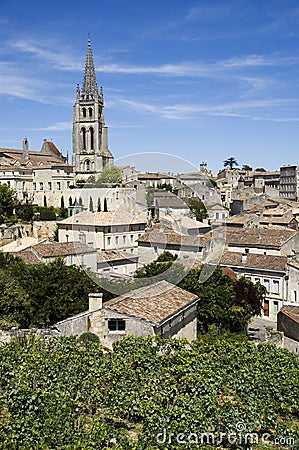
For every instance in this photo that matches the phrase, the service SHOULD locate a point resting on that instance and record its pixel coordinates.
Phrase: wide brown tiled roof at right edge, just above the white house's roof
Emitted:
(259, 237)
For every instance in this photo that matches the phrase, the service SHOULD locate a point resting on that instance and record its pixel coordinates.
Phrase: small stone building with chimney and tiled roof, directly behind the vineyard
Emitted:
(161, 309)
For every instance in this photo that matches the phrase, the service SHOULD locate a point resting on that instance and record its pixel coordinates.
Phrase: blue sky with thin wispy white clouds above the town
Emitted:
(200, 80)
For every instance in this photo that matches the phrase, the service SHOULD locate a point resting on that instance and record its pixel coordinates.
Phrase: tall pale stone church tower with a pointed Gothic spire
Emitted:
(90, 134)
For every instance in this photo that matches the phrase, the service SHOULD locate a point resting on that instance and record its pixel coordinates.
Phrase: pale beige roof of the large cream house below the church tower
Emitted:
(106, 218)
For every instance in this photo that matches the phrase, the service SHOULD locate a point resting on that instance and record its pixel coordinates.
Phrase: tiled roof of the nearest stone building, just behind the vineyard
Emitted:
(154, 303)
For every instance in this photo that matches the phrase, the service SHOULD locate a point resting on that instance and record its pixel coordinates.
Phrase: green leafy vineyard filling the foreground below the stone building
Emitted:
(71, 394)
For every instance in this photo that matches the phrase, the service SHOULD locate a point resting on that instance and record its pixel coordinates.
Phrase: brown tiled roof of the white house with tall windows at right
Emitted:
(254, 260)
